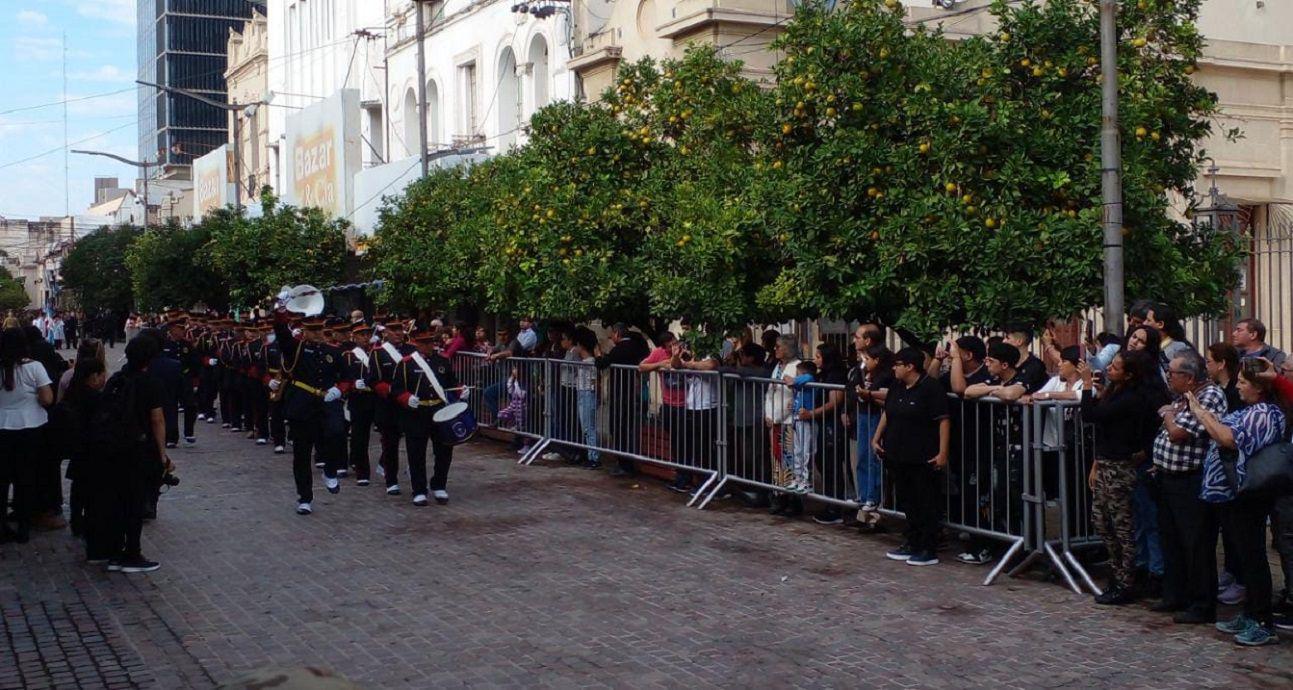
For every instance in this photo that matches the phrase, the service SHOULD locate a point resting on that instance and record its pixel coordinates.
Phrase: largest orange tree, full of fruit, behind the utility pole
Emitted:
(935, 183)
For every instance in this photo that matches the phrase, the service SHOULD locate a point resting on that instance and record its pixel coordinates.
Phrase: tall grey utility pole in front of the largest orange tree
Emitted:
(1111, 169)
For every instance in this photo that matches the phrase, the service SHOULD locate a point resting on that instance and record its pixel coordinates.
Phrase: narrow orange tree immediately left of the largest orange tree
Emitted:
(703, 254)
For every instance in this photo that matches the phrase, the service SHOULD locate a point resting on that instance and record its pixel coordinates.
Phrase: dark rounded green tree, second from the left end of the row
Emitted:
(171, 267)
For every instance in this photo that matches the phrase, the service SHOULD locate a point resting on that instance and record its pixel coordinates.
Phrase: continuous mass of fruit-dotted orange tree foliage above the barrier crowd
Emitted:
(890, 172)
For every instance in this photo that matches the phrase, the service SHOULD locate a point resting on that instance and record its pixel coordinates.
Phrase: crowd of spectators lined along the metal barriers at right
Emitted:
(1173, 427)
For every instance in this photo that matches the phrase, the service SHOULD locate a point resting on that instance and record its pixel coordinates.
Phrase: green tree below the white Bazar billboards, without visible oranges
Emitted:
(285, 246)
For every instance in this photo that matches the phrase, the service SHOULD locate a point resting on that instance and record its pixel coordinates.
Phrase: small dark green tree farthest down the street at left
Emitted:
(96, 269)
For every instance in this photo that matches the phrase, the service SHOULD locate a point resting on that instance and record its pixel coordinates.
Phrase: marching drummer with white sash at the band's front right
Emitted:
(417, 402)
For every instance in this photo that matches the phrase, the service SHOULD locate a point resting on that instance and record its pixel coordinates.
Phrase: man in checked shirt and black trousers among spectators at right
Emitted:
(1188, 527)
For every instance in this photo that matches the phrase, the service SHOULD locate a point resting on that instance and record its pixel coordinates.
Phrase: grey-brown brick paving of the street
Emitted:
(558, 578)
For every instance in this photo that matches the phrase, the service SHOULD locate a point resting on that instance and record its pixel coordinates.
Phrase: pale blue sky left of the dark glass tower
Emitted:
(100, 61)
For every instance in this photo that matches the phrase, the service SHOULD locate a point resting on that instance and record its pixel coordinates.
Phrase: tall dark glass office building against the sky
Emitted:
(183, 43)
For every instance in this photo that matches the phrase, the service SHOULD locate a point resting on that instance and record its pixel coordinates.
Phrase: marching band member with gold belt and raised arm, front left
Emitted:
(316, 370)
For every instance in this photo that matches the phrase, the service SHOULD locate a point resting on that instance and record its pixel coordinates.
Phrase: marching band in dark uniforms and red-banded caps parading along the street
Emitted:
(320, 386)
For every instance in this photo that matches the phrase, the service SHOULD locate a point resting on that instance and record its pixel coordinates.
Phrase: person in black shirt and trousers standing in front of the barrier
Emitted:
(914, 437)
